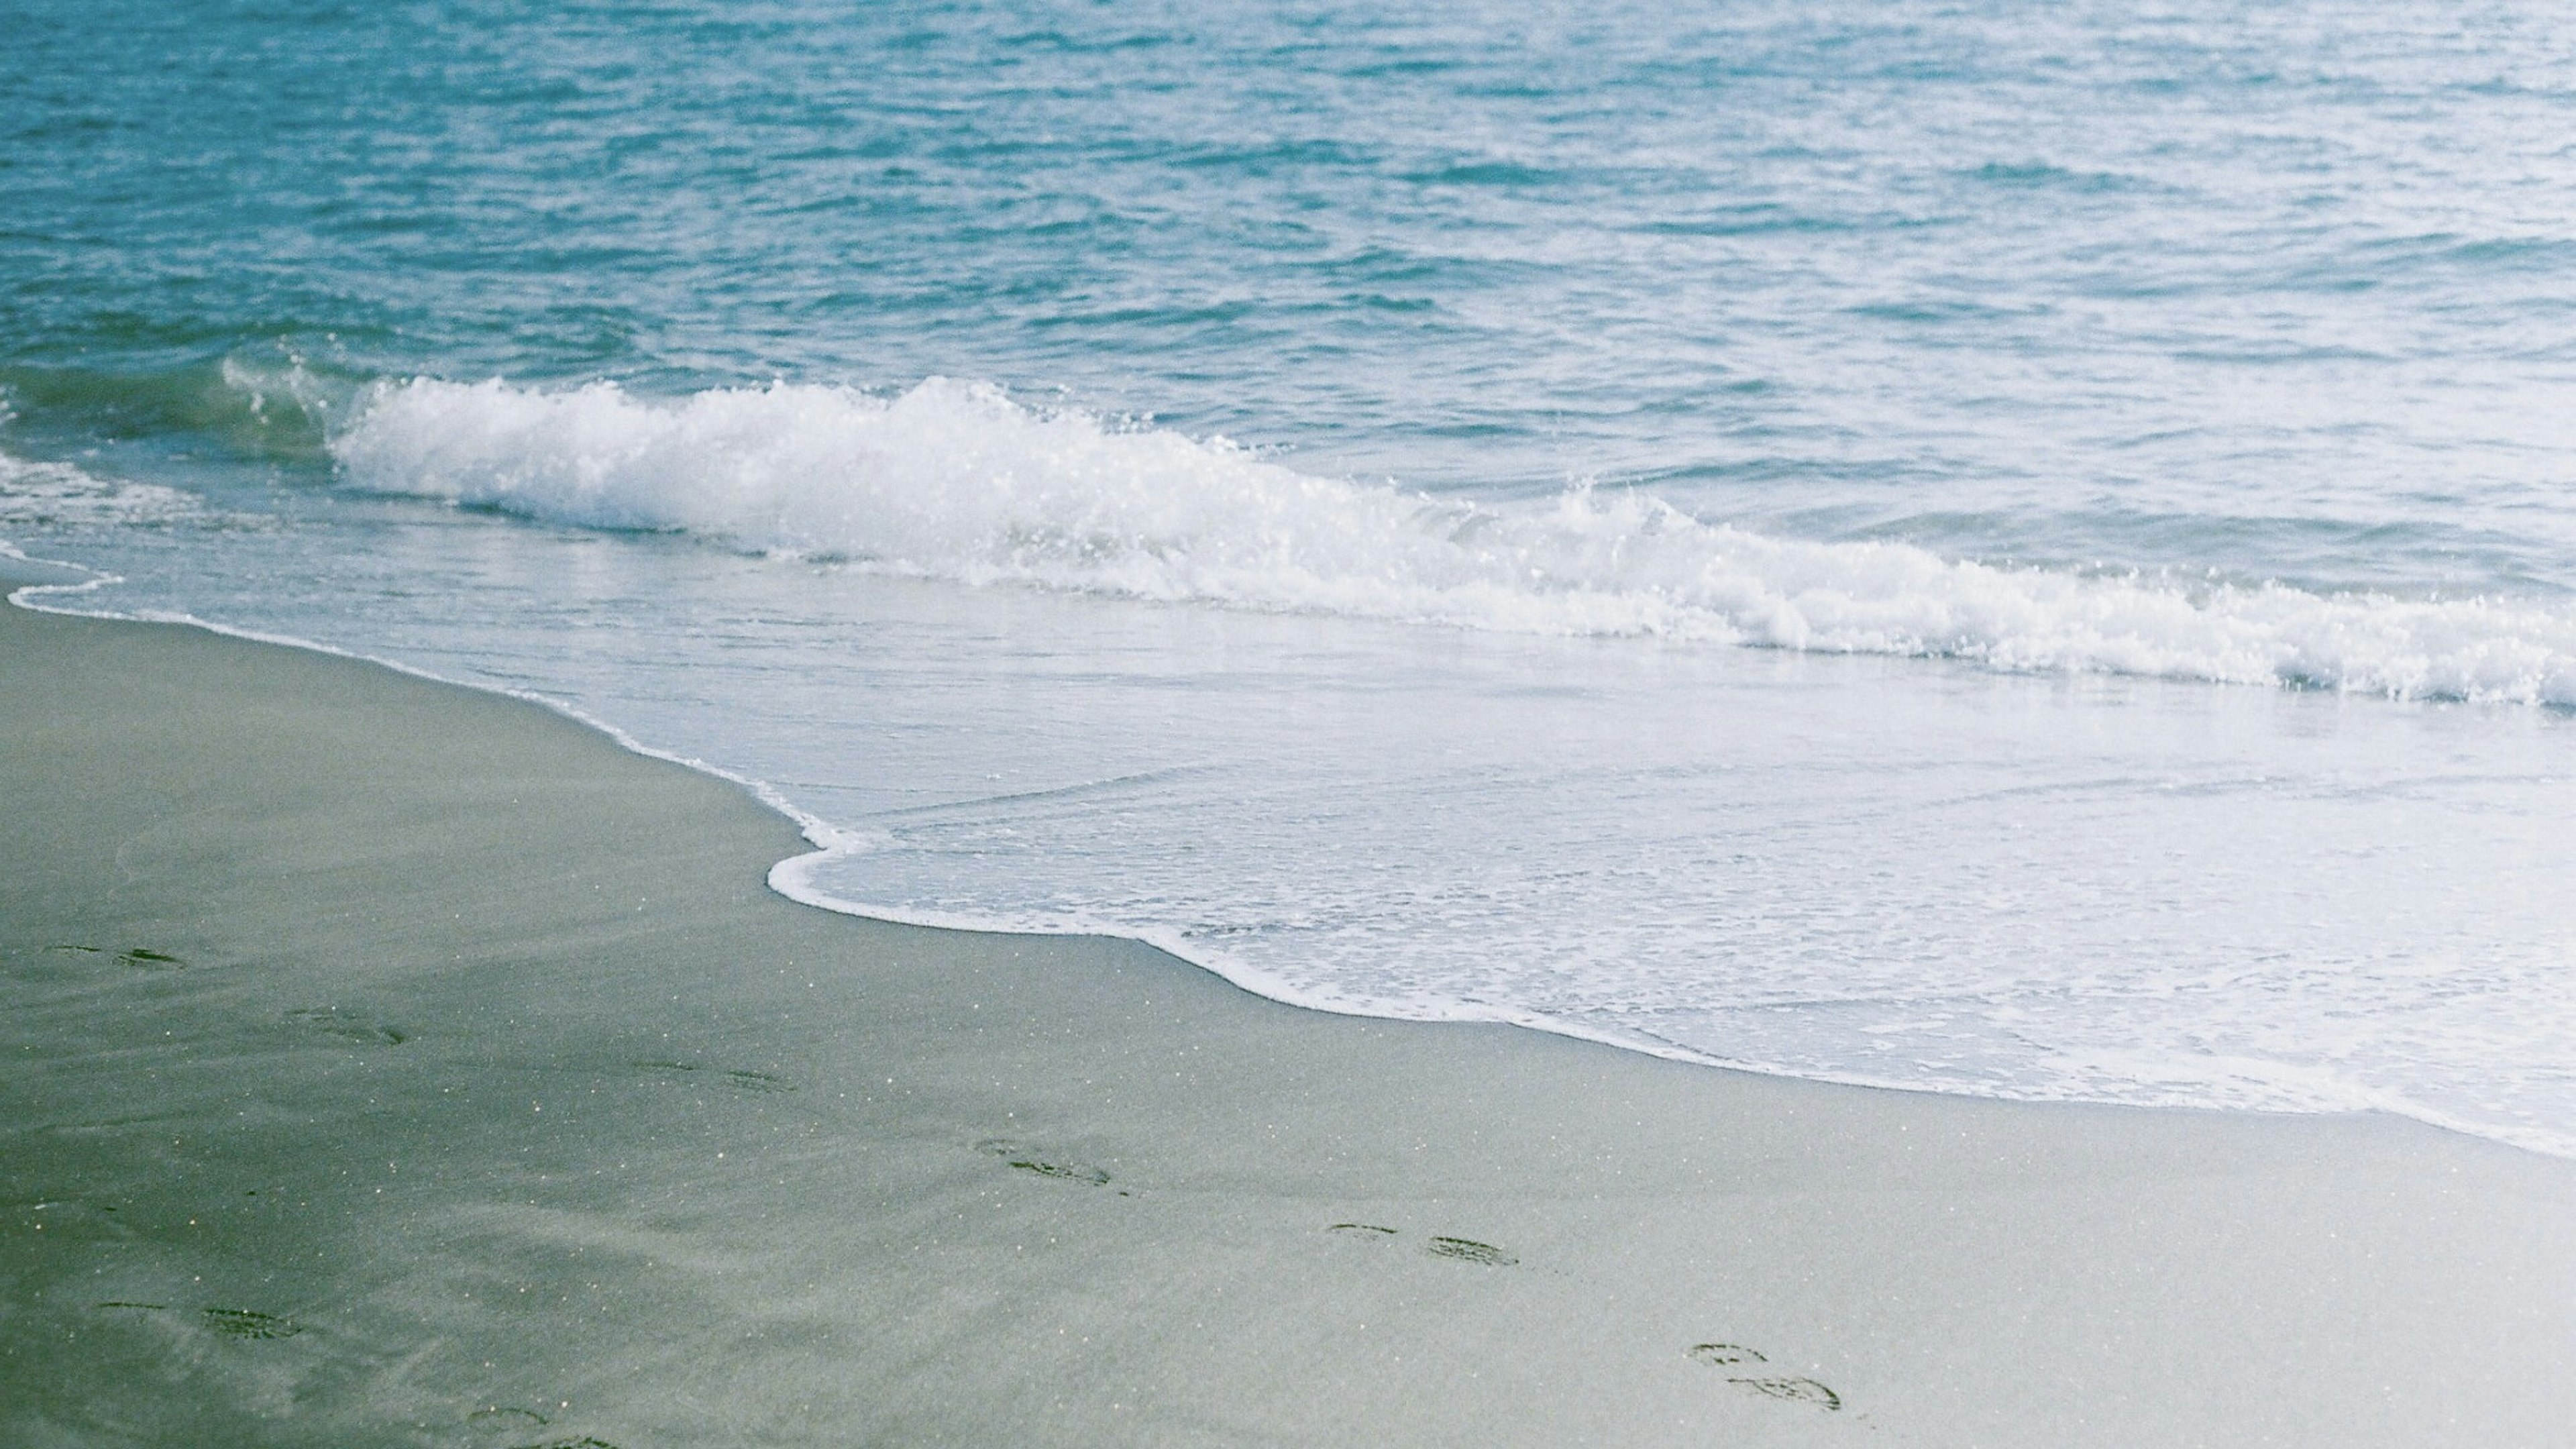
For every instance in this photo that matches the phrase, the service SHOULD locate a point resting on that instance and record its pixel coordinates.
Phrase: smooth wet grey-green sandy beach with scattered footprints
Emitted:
(393, 1064)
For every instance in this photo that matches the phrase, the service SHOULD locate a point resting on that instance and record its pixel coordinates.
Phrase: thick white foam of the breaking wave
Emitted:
(957, 481)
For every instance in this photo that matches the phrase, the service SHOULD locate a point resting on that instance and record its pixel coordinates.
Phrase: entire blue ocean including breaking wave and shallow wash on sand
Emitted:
(1990, 548)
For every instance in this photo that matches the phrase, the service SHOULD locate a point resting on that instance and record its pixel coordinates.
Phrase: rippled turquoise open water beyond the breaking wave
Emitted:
(2211, 287)
